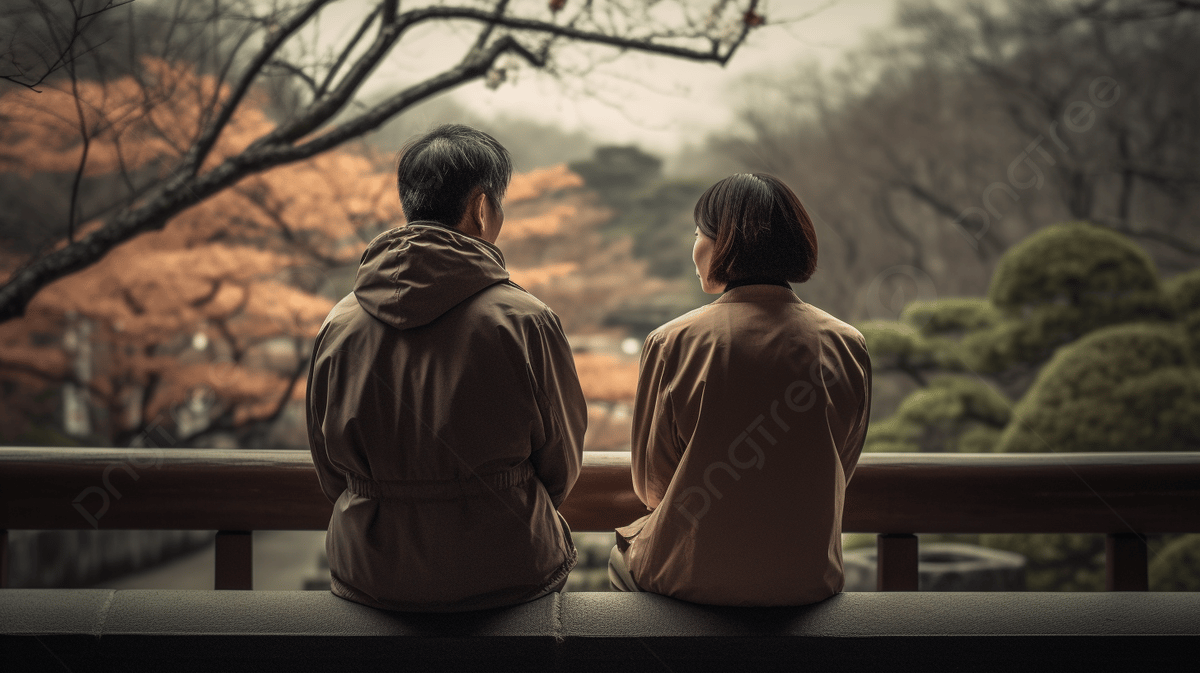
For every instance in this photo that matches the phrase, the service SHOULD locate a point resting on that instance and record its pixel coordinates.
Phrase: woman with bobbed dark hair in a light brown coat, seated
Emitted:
(749, 422)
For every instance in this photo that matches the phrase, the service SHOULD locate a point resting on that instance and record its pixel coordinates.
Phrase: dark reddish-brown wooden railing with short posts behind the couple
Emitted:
(1125, 496)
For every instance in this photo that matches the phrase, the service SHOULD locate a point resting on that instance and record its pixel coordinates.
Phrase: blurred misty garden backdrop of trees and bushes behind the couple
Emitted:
(1005, 193)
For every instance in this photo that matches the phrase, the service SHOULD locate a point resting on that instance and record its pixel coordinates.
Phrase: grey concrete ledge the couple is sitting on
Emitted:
(105, 630)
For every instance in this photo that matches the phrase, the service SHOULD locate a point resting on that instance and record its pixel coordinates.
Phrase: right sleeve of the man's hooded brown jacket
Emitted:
(563, 410)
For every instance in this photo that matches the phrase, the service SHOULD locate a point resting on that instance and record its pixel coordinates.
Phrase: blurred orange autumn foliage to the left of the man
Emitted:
(203, 327)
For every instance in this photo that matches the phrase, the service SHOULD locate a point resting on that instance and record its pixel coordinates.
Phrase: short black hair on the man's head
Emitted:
(437, 173)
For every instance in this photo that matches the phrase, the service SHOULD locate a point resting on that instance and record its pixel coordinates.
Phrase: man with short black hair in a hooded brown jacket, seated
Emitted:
(446, 418)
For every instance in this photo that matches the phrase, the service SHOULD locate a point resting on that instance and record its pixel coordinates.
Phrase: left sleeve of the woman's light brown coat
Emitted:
(656, 450)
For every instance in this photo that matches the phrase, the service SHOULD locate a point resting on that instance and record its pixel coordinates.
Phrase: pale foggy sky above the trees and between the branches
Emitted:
(661, 104)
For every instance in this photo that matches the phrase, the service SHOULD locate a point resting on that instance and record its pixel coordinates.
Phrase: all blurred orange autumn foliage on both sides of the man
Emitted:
(205, 328)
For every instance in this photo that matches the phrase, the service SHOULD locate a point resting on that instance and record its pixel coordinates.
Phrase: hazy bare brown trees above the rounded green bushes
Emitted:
(976, 125)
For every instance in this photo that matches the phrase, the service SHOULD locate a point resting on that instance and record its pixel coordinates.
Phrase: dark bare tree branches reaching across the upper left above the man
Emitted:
(266, 45)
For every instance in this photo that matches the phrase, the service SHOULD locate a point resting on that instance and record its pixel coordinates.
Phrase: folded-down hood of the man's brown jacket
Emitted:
(412, 275)
